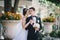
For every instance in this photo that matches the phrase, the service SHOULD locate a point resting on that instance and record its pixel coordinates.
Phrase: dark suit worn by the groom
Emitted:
(32, 35)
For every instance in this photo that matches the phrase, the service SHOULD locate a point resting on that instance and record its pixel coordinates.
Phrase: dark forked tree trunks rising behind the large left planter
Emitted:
(8, 6)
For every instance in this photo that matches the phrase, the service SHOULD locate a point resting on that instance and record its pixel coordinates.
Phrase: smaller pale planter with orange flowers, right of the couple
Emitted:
(48, 22)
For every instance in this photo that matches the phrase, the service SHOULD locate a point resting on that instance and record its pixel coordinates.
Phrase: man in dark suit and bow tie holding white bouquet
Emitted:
(32, 35)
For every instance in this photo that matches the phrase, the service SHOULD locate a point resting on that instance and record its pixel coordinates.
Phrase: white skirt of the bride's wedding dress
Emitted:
(22, 35)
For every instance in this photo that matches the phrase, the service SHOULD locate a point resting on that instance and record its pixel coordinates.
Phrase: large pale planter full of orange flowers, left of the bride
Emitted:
(11, 23)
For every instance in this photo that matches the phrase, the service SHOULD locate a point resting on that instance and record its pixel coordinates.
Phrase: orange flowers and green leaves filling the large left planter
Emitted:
(10, 16)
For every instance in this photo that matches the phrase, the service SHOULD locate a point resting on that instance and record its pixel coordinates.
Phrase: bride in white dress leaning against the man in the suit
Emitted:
(22, 35)
